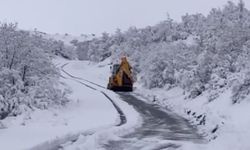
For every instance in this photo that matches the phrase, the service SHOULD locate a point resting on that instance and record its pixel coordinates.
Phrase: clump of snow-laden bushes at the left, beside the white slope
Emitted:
(28, 79)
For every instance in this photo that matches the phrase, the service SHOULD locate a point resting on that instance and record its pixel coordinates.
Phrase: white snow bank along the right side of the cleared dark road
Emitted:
(224, 125)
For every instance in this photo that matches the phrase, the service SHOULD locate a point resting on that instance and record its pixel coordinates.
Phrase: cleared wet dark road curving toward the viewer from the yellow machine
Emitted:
(158, 127)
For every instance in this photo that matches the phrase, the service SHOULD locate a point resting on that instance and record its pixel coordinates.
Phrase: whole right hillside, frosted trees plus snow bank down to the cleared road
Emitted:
(198, 67)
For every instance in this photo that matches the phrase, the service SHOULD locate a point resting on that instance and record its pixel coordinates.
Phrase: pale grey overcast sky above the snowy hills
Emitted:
(96, 16)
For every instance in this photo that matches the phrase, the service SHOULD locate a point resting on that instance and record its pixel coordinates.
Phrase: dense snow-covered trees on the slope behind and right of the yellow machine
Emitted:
(199, 53)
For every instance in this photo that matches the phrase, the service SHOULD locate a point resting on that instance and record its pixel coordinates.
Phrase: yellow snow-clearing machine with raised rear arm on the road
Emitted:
(121, 78)
